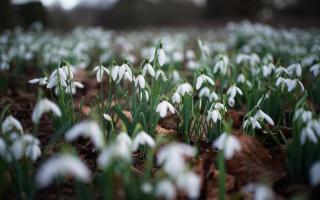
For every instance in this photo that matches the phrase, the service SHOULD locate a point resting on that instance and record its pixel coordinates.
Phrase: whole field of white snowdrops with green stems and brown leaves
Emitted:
(224, 113)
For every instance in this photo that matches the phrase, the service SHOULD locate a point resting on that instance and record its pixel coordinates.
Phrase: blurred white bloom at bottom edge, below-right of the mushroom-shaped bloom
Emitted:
(190, 183)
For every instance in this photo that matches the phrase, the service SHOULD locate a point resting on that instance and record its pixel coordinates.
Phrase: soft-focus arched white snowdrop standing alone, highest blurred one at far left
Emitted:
(43, 106)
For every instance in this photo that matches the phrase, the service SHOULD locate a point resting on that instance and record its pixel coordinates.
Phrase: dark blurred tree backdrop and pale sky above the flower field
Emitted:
(123, 14)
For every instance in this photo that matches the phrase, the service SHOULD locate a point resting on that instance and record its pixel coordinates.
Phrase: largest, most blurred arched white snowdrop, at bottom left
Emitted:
(62, 165)
